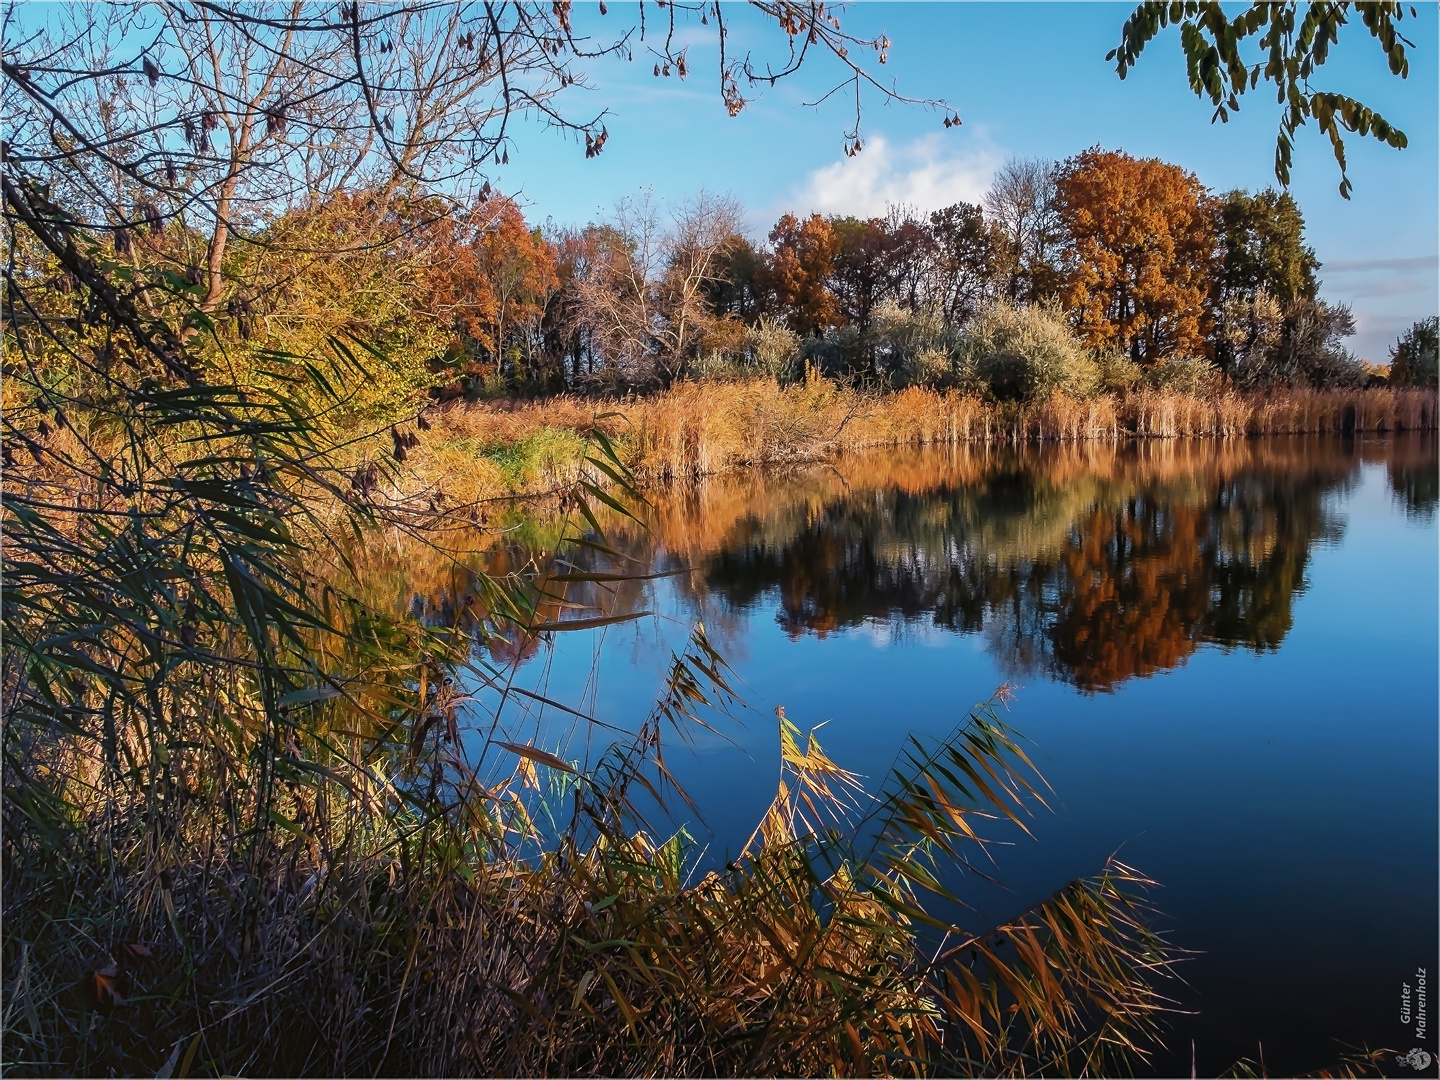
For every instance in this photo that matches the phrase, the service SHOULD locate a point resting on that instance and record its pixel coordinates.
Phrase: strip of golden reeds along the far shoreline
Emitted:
(698, 430)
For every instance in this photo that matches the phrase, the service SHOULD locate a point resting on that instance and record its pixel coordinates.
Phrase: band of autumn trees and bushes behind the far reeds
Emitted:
(1099, 273)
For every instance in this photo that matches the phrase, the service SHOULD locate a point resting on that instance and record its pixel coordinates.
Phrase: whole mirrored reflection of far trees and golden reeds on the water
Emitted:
(1086, 564)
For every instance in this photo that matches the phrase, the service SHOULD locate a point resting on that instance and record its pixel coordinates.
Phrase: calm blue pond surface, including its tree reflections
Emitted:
(1228, 669)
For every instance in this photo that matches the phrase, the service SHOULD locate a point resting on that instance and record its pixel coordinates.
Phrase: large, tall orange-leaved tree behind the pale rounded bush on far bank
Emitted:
(1141, 254)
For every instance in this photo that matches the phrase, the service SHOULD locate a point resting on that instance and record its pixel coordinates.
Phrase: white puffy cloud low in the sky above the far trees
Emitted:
(928, 174)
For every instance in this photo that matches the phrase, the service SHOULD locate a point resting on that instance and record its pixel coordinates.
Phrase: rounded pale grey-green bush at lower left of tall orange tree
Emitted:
(1022, 354)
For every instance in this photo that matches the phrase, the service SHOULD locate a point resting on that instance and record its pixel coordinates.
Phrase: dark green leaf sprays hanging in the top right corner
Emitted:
(1295, 44)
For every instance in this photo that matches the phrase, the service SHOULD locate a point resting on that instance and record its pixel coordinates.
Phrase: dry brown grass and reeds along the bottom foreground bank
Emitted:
(381, 937)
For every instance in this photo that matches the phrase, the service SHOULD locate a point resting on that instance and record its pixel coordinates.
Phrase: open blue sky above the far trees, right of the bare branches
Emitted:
(1029, 80)
